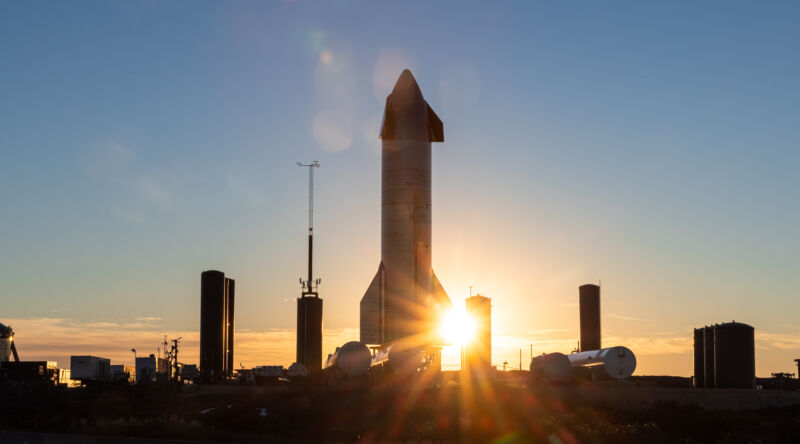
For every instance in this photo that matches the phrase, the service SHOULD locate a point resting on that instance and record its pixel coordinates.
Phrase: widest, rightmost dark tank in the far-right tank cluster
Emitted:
(734, 356)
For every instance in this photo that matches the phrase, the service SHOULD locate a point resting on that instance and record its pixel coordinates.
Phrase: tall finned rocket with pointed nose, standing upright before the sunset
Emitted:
(405, 299)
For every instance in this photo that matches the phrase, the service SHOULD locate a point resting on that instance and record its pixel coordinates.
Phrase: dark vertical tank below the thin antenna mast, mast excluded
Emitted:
(309, 332)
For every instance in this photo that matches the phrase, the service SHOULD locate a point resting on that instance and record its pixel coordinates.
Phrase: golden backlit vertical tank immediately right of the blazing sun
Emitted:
(477, 356)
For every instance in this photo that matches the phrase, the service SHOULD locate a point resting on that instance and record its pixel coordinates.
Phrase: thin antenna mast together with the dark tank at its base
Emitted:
(309, 304)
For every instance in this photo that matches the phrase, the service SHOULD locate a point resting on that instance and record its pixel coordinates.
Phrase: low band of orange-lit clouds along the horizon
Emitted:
(55, 339)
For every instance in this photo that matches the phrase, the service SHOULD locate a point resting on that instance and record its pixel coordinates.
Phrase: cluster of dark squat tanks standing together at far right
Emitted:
(724, 356)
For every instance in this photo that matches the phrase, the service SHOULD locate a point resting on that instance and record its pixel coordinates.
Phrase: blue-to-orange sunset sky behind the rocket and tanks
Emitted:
(651, 147)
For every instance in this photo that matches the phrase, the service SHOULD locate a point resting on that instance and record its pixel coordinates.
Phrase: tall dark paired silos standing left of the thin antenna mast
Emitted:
(216, 325)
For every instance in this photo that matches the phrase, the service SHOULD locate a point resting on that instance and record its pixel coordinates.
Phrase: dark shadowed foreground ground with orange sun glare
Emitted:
(503, 411)
